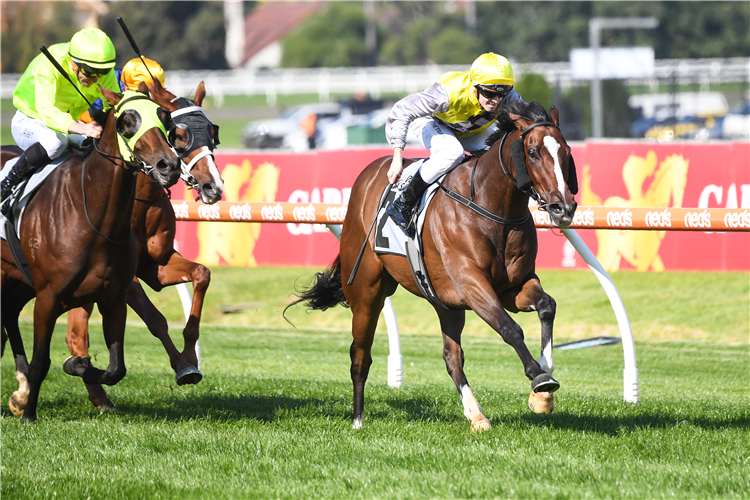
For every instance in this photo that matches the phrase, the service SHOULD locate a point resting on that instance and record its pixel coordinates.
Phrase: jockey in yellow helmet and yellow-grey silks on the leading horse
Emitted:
(454, 115)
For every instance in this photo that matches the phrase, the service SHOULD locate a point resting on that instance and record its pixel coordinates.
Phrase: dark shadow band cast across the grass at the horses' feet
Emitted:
(386, 405)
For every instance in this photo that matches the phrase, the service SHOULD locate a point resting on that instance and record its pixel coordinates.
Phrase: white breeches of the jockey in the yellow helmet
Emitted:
(446, 150)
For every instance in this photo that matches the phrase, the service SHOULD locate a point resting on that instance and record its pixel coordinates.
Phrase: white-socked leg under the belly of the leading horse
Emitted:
(452, 324)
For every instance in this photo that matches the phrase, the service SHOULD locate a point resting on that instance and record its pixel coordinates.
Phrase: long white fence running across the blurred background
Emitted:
(407, 79)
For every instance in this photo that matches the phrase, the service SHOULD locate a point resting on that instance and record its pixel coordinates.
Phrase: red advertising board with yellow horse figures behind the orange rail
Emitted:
(615, 174)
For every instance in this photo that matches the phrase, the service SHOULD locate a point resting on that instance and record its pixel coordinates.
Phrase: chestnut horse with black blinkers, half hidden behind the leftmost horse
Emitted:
(159, 264)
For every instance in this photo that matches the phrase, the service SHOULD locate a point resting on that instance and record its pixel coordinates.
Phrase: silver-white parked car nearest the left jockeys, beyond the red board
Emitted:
(285, 132)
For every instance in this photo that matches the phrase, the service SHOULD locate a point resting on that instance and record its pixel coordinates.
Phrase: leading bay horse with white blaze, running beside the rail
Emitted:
(473, 262)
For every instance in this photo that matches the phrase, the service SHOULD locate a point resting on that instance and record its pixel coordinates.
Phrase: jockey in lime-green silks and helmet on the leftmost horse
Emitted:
(47, 103)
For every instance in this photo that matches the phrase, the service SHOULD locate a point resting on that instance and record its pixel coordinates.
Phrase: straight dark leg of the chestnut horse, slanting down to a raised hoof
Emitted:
(157, 325)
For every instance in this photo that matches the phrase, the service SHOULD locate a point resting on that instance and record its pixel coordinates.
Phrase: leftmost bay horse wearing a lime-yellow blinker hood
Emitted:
(76, 237)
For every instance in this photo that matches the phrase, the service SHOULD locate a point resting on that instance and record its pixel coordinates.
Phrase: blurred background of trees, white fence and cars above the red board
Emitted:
(298, 75)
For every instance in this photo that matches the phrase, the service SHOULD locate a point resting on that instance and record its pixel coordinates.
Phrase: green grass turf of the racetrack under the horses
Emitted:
(272, 416)
